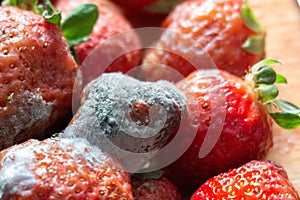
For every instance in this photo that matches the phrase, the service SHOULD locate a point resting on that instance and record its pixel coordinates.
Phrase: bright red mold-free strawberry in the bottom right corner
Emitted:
(253, 180)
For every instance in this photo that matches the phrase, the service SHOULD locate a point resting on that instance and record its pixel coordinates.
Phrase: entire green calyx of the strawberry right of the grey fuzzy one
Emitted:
(284, 113)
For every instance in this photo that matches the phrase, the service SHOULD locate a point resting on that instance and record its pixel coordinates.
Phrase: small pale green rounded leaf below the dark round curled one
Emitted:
(267, 93)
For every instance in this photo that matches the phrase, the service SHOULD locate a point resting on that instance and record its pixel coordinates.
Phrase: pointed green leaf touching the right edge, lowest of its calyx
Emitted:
(286, 120)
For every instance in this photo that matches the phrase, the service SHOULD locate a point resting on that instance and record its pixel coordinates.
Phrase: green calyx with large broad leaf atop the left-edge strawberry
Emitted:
(75, 27)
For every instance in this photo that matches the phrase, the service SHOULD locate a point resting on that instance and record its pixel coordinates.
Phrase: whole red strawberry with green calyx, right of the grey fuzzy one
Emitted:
(232, 121)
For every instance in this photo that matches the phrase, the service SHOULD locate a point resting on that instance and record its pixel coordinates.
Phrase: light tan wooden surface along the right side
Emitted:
(281, 20)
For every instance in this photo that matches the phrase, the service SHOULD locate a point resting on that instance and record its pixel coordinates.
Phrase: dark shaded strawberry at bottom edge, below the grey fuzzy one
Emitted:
(149, 189)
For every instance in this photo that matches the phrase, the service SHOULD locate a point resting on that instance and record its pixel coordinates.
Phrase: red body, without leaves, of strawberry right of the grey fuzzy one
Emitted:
(227, 105)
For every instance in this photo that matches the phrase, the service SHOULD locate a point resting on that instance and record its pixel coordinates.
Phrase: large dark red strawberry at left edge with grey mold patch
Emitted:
(37, 74)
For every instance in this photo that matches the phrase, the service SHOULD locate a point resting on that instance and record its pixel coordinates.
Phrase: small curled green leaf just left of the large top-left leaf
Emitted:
(51, 15)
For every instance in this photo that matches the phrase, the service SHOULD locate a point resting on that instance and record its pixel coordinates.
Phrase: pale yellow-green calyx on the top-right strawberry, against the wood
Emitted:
(254, 44)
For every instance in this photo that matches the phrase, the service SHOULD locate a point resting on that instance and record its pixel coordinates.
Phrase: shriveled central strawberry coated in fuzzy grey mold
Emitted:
(127, 117)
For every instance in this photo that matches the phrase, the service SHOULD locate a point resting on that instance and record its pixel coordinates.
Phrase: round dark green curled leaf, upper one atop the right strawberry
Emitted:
(265, 75)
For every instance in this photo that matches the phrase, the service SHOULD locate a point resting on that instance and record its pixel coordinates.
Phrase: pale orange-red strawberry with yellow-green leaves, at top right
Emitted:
(199, 32)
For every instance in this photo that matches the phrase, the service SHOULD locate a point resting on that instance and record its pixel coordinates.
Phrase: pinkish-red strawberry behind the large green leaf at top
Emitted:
(110, 23)
